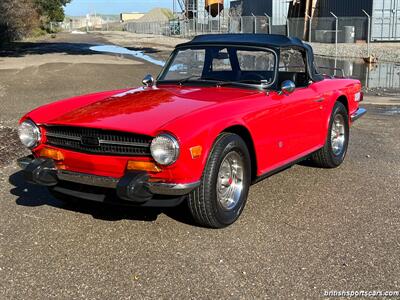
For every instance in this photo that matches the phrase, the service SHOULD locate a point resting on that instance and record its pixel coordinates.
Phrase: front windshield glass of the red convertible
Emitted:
(221, 65)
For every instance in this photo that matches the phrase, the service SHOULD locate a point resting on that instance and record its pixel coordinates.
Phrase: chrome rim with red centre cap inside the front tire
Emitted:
(230, 180)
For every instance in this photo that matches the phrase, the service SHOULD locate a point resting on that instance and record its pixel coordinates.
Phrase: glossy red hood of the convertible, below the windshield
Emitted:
(139, 110)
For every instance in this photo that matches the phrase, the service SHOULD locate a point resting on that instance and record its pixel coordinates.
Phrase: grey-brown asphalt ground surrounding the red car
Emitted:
(304, 230)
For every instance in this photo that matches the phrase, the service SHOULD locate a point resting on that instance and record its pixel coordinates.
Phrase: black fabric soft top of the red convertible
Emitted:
(275, 41)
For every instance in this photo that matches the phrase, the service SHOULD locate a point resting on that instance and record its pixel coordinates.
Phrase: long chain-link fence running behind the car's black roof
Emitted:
(323, 30)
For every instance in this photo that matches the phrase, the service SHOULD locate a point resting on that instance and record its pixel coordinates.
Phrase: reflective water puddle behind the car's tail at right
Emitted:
(377, 76)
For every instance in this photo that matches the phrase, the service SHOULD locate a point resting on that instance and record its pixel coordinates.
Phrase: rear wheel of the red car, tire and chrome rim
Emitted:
(334, 151)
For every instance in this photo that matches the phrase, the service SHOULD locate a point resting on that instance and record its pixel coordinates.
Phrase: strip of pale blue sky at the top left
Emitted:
(82, 7)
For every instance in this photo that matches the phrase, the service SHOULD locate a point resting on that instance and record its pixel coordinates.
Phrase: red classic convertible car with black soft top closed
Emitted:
(226, 111)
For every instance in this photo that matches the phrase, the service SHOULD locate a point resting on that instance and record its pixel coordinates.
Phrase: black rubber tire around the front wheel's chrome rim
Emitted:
(203, 202)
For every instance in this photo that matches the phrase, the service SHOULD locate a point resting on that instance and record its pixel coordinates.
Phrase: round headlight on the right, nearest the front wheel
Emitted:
(164, 149)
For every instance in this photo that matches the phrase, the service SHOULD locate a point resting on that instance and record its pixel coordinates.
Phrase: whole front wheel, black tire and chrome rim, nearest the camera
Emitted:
(222, 194)
